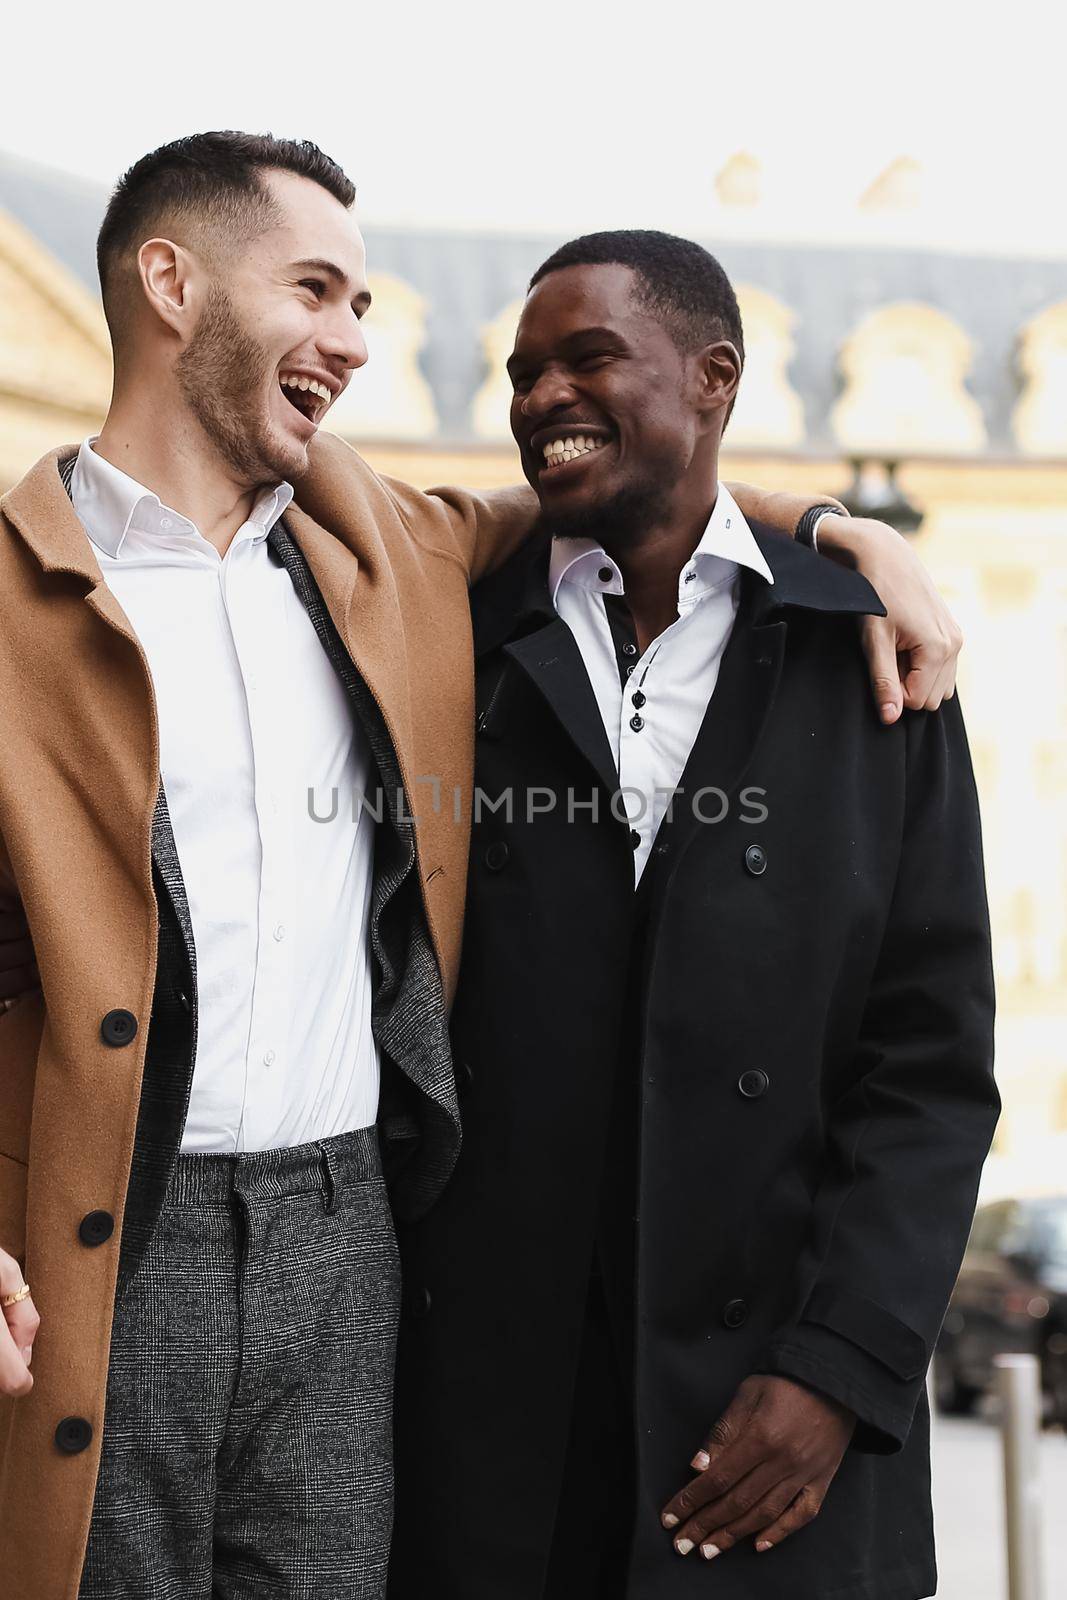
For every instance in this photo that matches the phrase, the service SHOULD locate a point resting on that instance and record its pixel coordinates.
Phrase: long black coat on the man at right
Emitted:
(815, 1050)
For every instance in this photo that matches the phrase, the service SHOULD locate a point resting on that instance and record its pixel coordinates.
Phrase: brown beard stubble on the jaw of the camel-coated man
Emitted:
(223, 375)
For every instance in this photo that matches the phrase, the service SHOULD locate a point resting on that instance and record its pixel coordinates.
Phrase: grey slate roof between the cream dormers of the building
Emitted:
(468, 279)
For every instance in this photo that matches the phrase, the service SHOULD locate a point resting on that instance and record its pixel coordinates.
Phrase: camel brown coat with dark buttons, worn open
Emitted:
(79, 780)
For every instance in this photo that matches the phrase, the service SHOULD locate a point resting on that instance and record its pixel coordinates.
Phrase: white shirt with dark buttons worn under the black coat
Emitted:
(677, 674)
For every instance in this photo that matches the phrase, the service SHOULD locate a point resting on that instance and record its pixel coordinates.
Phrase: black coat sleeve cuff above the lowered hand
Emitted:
(860, 1354)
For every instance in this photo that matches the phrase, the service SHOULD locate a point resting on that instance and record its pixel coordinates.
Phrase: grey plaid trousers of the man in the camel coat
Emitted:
(247, 1449)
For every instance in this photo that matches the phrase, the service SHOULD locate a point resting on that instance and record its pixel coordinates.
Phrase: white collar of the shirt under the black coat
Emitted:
(725, 545)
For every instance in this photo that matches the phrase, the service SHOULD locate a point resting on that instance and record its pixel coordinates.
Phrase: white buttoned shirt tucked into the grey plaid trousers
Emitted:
(252, 718)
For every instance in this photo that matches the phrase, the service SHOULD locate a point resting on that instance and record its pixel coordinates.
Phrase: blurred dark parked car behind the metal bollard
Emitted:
(1010, 1298)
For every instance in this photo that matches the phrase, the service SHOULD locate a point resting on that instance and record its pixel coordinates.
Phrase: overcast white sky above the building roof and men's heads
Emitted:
(567, 118)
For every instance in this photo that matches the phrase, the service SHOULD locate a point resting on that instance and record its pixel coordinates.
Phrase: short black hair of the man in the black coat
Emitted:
(676, 279)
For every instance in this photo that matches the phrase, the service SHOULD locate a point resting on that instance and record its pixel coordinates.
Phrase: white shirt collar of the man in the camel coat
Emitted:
(113, 506)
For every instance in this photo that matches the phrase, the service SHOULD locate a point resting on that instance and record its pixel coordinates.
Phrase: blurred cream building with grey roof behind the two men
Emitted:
(885, 356)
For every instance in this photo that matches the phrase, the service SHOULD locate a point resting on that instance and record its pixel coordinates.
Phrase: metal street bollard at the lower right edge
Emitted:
(1020, 1388)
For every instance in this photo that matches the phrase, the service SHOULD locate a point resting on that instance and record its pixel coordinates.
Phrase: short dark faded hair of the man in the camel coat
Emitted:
(218, 177)
